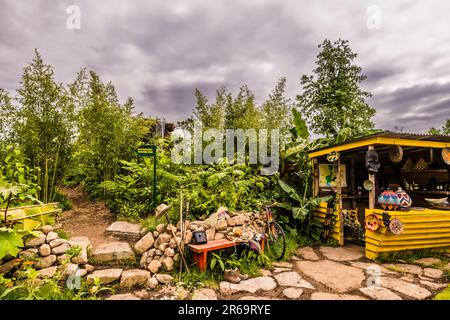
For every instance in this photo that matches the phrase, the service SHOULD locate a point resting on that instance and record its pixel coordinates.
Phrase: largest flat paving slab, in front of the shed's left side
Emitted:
(336, 276)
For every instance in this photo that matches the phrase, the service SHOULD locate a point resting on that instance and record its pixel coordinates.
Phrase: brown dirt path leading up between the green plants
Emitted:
(89, 219)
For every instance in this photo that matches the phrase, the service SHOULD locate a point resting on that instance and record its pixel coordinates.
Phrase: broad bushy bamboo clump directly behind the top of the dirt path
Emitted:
(107, 131)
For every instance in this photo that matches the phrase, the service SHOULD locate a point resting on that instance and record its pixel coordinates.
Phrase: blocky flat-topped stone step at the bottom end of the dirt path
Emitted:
(113, 252)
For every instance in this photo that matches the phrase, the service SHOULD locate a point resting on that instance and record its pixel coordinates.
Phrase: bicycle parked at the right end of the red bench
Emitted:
(274, 235)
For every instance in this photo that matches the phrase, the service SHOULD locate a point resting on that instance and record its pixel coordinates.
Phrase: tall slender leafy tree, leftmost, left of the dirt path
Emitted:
(43, 125)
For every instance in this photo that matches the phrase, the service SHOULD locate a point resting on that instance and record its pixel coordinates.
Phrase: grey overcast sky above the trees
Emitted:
(158, 52)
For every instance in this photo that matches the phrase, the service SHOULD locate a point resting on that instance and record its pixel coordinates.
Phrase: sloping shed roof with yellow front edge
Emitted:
(387, 138)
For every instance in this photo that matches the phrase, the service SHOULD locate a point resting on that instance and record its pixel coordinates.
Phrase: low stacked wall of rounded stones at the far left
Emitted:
(48, 254)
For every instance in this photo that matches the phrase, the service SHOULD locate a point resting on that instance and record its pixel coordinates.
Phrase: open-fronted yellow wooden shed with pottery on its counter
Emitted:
(409, 171)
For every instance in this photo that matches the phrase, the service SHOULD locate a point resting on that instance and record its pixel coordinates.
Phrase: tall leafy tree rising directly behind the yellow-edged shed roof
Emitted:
(332, 98)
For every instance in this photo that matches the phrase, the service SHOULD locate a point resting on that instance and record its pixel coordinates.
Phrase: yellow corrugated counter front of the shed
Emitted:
(428, 229)
